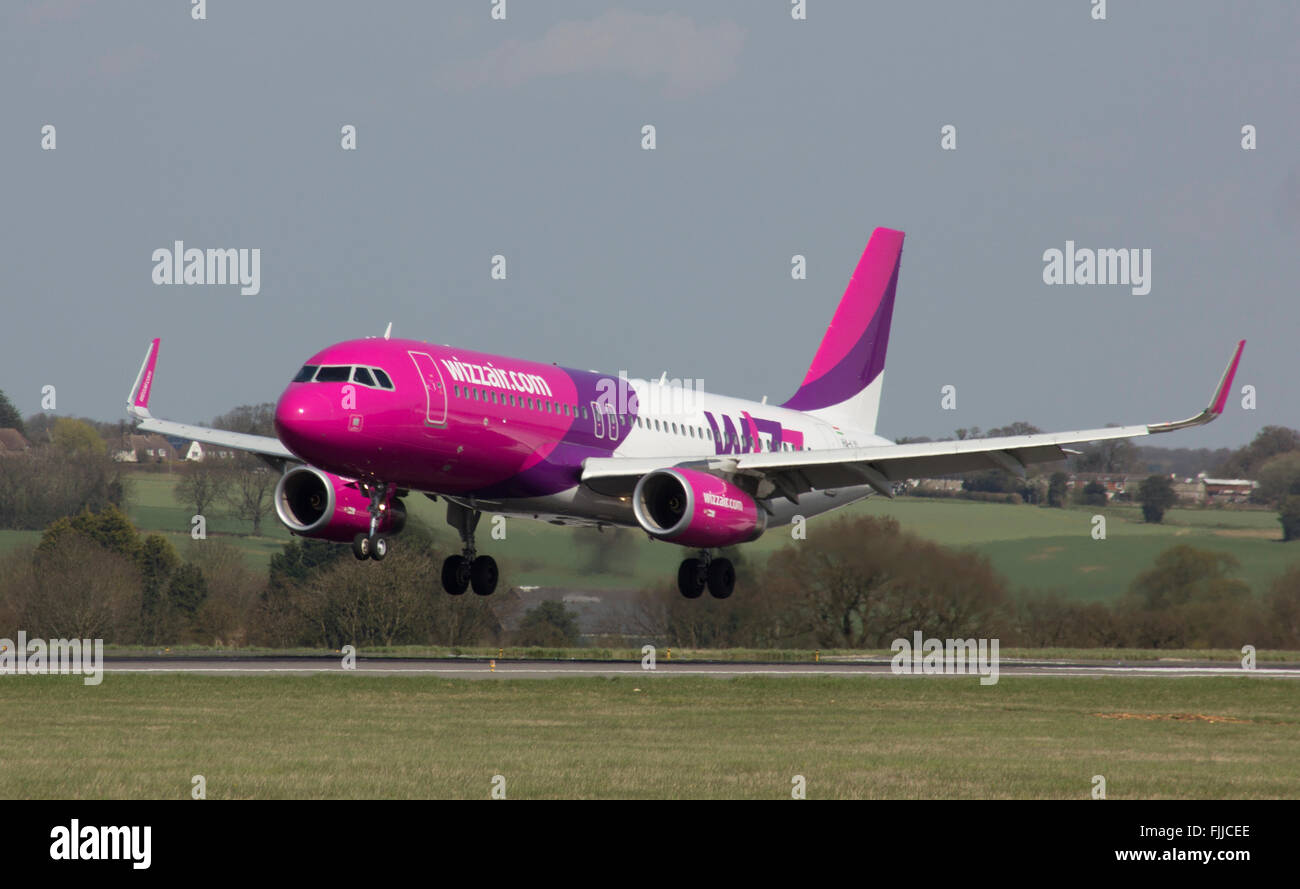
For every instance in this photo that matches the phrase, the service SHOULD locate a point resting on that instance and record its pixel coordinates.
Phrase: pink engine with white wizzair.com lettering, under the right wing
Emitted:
(695, 509)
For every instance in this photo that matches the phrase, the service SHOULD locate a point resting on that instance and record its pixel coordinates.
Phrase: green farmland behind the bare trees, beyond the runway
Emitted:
(1035, 549)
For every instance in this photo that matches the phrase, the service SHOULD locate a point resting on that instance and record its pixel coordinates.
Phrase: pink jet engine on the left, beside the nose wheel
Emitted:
(317, 504)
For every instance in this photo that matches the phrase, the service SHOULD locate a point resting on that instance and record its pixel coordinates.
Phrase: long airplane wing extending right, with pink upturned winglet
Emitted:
(791, 474)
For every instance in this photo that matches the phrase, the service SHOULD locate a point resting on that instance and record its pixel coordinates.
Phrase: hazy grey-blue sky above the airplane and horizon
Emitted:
(774, 137)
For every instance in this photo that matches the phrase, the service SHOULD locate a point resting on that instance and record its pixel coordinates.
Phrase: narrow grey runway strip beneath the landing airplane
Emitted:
(487, 669)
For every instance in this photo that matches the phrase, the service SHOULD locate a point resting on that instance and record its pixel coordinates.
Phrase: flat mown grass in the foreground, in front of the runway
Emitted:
(649, 738)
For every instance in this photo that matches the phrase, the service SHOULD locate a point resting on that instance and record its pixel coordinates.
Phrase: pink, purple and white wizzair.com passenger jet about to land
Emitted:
(367, 422)
